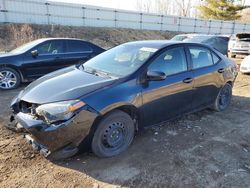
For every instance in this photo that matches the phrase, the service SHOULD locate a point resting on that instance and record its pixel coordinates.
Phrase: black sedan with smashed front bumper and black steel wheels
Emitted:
(123, 90)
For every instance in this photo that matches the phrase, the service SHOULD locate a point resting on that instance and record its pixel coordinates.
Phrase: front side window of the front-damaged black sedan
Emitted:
(170, 62)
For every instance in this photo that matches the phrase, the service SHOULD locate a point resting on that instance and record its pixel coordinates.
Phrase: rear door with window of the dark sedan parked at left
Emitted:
(78, 51)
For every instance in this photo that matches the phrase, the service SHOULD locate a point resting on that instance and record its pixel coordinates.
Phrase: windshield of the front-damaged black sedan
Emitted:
(121, 60)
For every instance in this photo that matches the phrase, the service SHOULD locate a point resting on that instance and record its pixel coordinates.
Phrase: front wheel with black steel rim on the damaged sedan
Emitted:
(114, 134)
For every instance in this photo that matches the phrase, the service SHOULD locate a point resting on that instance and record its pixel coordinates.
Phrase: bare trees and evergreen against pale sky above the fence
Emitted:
(207, 9)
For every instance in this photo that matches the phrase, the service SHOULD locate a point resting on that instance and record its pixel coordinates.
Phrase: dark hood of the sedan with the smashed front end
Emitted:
(66, 84)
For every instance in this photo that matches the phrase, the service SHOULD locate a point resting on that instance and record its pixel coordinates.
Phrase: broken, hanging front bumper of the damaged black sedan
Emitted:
(56, 139)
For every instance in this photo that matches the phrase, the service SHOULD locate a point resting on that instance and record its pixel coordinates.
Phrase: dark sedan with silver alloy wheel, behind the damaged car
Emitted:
(37, 58)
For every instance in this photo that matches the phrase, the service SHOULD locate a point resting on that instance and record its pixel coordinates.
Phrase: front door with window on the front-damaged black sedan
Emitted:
(166, 99)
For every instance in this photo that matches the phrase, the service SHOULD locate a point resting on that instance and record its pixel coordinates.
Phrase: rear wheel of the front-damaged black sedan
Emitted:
(223, 98)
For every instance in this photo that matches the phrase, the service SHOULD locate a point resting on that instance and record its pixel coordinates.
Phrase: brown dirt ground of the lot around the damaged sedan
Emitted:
(205, 149)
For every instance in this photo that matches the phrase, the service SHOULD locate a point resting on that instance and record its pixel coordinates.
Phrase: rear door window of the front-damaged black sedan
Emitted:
(201, 57)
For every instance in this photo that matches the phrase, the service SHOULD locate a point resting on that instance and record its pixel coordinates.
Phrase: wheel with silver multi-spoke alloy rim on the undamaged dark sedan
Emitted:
(15, 78)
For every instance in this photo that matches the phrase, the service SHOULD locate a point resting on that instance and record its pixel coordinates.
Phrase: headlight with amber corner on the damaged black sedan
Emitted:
(59, 111)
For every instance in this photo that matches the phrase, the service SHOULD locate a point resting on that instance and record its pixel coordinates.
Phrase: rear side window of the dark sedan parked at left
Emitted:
(78, 46)
